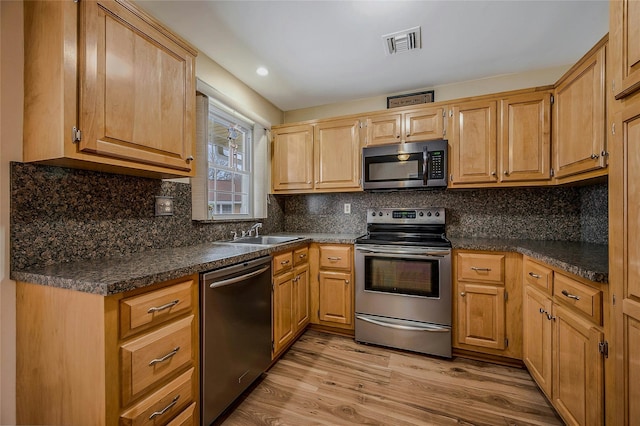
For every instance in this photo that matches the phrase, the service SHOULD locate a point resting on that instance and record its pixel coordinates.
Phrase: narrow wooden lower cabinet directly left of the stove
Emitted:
(332, 286)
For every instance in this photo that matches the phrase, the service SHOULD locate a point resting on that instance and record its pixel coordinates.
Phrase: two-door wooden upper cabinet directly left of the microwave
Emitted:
(316, 157)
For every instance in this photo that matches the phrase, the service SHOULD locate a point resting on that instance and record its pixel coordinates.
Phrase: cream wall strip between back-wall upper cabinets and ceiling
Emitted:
(447, 92)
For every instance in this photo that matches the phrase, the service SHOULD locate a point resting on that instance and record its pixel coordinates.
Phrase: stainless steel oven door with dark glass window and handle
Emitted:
(410, 283)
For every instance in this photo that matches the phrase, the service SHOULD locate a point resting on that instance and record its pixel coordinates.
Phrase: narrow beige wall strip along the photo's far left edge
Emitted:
(11, 94)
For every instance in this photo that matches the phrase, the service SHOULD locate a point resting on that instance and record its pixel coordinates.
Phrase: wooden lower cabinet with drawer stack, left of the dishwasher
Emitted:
(85, 359)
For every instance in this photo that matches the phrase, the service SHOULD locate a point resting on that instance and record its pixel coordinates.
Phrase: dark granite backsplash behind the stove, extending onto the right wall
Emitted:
(576, 213)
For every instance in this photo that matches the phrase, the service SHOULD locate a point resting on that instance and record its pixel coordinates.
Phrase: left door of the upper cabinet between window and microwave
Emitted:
(292, 162)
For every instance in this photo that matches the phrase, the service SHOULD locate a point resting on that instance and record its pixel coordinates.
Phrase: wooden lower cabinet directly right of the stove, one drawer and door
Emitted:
(487, 303)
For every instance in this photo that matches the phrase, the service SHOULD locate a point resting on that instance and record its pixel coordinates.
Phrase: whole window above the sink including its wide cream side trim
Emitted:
(232, 160)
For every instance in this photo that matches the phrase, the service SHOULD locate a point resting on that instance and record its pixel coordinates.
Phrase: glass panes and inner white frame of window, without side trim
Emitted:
(229, 158)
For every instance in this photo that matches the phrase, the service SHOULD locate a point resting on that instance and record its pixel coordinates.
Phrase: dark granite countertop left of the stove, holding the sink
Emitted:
(119, 274)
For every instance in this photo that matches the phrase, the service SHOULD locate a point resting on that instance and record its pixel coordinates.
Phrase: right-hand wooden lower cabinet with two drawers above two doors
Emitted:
(562, 342)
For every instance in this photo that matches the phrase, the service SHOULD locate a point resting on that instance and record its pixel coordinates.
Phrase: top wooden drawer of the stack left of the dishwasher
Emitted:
(141, 312)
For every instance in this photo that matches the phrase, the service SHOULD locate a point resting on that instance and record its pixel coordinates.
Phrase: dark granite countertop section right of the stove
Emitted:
(586, 260)
